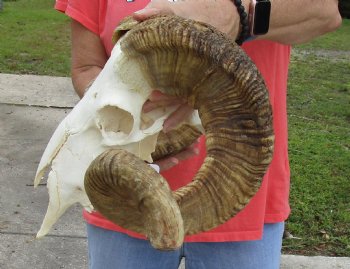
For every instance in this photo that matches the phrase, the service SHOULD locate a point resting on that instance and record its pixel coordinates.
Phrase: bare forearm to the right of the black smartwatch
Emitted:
(299, 21)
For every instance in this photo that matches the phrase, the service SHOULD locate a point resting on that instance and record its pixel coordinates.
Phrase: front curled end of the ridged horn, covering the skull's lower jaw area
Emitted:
(144, 204)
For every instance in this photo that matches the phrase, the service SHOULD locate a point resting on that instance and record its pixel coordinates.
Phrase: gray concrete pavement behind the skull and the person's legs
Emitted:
(30, 109)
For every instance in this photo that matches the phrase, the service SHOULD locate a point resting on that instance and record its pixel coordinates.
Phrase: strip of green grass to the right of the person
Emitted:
(319, 147)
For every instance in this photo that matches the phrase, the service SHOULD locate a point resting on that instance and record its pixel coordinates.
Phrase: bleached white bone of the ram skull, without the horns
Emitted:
(108, 116)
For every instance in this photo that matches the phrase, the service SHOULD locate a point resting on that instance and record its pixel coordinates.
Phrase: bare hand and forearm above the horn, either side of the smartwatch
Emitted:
(291, 21)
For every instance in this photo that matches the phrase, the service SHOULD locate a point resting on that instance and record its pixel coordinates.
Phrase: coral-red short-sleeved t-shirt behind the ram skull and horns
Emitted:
(270, 204)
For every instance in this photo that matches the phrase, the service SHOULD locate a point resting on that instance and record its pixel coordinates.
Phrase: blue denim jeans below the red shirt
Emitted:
(113, 250)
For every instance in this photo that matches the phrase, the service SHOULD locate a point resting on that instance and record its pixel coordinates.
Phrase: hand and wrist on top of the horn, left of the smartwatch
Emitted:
(222, 14)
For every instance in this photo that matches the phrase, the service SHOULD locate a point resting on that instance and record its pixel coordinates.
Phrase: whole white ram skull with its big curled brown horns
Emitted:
(182, 58)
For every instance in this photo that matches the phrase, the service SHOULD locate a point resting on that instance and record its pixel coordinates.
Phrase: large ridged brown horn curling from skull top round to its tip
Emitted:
(194, 61)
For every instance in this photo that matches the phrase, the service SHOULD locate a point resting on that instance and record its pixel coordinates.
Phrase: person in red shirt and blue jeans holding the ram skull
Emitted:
(267, 29)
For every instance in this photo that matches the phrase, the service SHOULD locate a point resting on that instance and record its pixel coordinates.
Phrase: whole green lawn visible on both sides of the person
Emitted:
(35, 40)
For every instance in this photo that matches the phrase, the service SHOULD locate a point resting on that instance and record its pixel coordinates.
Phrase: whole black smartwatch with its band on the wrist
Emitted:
(259, 16)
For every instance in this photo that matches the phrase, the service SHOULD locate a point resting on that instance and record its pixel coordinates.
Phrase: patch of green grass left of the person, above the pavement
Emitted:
(34, 39)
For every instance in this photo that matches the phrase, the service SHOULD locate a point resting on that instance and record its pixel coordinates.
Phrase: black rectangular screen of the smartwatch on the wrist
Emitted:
(261, 17)
